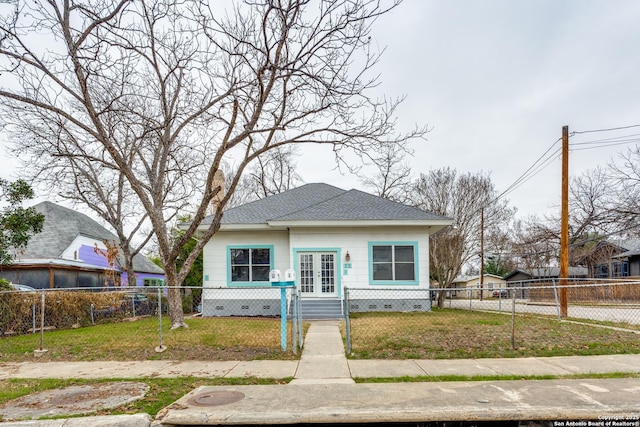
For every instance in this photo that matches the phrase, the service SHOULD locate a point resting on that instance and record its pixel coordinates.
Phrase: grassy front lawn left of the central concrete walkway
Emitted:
(205, 339)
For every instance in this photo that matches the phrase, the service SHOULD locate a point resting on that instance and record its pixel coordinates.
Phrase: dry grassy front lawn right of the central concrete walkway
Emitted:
(463, 334)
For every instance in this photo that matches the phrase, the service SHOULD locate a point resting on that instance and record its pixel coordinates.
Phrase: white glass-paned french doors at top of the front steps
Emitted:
(317, 274)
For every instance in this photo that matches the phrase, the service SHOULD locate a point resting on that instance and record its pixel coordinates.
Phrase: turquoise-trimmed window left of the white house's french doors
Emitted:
(249, 265)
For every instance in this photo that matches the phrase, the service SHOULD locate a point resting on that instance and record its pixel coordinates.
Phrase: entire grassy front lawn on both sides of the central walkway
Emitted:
(440, 334)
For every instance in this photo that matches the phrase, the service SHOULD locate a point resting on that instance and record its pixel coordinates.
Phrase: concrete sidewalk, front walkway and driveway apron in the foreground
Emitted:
(323, 389)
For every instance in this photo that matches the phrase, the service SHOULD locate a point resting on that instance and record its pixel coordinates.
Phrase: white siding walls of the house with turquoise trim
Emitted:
(220, 299)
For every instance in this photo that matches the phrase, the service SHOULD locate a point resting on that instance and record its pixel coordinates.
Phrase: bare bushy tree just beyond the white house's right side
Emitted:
(461, 197)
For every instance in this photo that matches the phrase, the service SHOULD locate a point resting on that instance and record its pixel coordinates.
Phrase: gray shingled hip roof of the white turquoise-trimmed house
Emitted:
(322, 202)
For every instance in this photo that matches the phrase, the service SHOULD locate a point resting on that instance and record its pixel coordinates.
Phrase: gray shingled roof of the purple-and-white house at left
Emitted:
(62, 225)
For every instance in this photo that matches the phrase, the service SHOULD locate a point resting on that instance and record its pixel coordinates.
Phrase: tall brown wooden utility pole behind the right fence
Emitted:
(564, 226)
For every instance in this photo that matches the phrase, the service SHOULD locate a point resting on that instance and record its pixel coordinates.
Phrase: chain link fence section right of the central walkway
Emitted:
(519, 319)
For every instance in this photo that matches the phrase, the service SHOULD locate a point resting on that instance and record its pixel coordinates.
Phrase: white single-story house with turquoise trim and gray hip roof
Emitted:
(332, 239)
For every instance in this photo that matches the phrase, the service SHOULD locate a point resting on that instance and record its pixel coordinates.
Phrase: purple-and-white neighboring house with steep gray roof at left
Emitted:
(64, 255)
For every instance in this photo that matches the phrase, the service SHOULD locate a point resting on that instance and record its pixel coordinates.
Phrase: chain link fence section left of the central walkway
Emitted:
(134, 324)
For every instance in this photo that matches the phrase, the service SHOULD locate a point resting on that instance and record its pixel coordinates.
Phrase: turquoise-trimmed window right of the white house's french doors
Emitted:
(393, 263)
